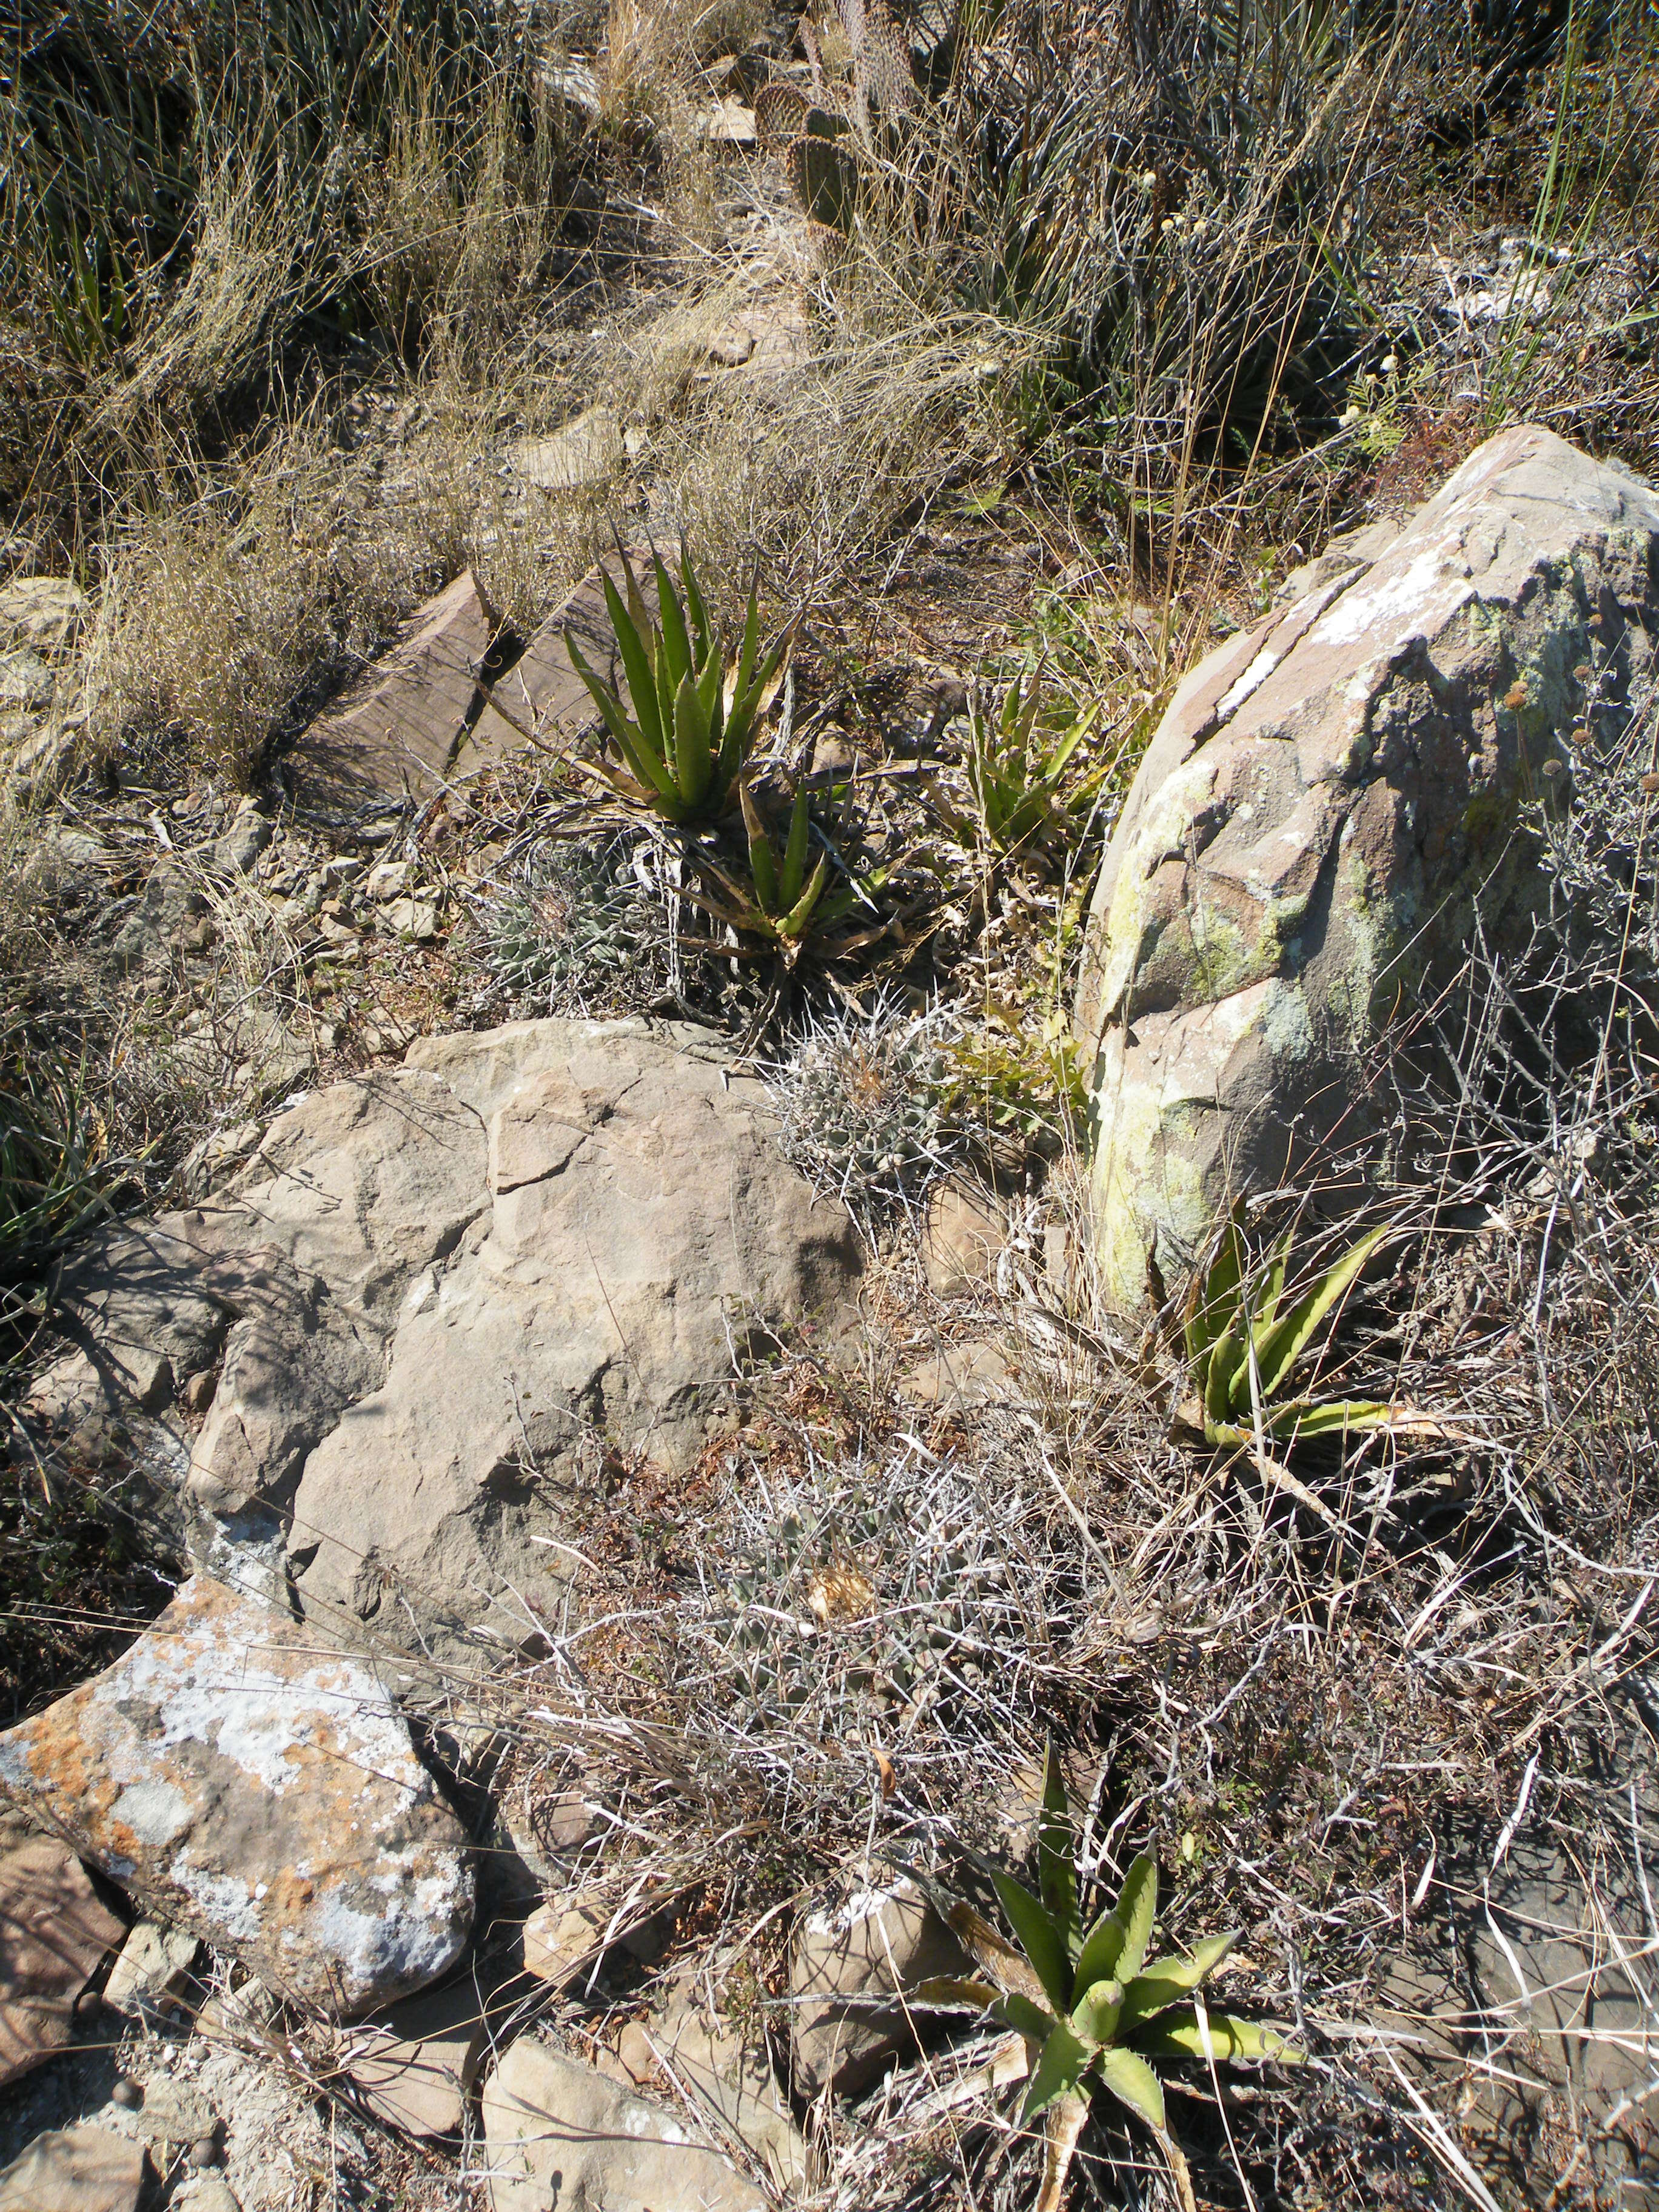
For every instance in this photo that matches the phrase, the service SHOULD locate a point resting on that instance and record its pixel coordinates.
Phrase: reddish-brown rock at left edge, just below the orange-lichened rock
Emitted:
(54, 1932)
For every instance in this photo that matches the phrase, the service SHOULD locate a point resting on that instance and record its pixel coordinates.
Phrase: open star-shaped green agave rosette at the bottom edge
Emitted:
(1089, 2005)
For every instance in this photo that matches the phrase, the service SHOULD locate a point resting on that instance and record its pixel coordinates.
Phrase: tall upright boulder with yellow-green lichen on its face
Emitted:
(1317, 820)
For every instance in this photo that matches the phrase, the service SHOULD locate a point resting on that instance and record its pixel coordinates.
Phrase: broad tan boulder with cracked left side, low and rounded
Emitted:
(444, 1295)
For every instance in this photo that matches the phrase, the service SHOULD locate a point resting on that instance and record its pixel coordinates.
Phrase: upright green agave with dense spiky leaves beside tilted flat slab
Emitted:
(696, 711)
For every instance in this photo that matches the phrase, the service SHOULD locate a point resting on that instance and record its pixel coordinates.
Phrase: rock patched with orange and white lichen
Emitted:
(260, 1788)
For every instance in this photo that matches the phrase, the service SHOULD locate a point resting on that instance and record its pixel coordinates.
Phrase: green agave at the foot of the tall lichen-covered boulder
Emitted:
(1242, 1344)
